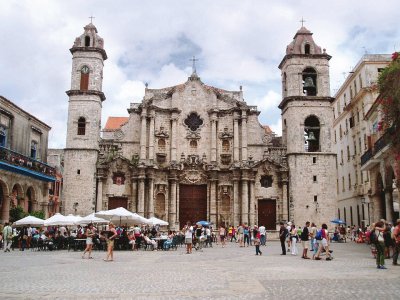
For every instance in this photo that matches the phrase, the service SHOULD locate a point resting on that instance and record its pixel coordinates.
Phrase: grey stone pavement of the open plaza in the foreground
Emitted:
(214, 273)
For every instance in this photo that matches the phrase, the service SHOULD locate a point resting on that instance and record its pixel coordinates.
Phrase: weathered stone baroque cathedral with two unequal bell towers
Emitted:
(194, 152)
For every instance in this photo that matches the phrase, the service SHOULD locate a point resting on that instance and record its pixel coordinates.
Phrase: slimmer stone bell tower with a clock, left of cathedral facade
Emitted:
(84, 121)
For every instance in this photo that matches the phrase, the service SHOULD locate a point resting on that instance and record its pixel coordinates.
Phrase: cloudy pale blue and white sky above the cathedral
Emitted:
(238, 43)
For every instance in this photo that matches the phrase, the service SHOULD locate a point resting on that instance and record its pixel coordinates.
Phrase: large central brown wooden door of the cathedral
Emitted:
(192, 203)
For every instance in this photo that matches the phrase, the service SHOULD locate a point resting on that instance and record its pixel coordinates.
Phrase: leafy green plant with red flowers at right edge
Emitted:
(389, 98)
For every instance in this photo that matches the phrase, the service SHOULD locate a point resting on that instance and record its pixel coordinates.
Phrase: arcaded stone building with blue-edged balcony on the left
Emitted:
(24, 174)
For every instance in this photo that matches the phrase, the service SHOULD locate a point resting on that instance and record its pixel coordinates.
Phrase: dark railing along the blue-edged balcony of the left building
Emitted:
(17, 159)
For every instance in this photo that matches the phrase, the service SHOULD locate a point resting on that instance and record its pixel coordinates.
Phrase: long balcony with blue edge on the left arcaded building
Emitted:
(15, 162)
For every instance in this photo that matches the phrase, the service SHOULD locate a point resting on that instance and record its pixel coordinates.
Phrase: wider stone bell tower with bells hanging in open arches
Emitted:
(307, 119)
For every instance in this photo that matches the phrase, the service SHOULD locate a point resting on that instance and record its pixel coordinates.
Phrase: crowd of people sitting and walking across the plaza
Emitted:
(315, 241)
